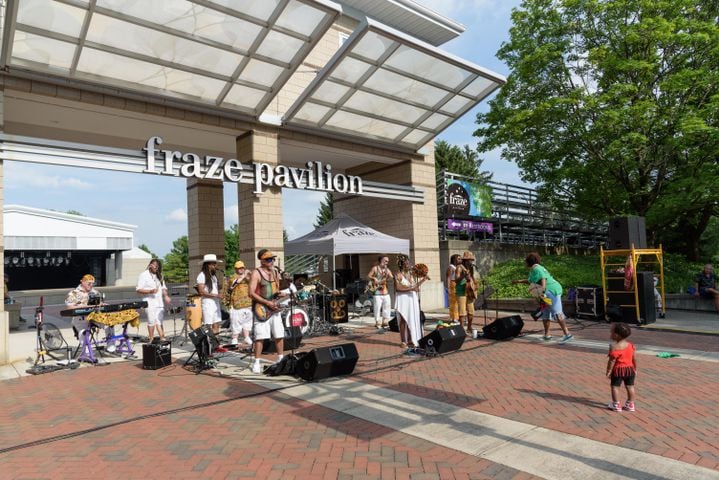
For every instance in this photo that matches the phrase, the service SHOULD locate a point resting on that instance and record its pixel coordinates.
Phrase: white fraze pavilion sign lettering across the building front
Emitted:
(314, 177)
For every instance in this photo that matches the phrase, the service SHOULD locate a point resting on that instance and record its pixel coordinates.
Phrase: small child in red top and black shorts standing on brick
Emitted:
(621, 367)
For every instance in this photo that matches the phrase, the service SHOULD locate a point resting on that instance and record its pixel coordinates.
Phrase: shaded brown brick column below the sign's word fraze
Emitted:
(205, 223)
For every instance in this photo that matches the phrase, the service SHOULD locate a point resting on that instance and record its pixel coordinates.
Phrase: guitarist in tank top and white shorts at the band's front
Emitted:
(265, 290)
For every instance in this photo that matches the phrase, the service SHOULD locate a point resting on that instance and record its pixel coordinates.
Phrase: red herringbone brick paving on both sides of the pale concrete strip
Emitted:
(176, 424)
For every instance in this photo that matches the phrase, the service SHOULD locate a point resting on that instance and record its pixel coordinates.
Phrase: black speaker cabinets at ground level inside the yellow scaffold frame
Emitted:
(625, 300)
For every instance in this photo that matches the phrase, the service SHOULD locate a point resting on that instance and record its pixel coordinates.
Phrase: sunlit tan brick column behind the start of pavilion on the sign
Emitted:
(260, 216)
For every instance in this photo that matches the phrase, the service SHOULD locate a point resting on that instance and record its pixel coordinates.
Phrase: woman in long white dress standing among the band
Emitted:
(407, 304)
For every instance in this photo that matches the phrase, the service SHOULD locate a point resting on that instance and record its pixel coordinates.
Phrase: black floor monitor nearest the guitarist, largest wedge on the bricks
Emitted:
(327, 362)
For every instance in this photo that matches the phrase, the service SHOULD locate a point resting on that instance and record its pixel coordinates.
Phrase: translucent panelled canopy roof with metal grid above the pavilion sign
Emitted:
(236, 55)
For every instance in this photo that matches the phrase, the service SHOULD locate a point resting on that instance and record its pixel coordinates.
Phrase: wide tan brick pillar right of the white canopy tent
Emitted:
(402, 219)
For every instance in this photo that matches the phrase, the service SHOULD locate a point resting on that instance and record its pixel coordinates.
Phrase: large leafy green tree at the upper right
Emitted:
(615, 104)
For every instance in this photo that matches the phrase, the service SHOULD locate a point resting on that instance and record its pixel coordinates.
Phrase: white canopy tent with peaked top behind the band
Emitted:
(345, 235)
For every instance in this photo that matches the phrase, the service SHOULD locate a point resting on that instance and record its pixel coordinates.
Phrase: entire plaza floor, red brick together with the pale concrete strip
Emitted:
(122, 421)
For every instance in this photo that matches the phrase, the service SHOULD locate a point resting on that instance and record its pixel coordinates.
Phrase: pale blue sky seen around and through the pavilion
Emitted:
(157, 205)
